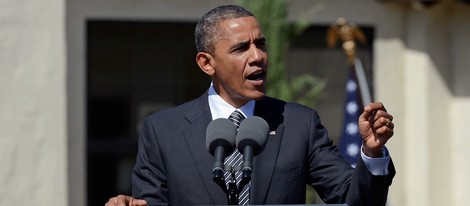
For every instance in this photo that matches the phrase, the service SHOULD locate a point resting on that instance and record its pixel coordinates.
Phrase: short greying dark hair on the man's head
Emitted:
(206, 29)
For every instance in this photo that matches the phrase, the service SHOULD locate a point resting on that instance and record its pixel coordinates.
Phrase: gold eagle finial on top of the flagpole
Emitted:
(348, 33)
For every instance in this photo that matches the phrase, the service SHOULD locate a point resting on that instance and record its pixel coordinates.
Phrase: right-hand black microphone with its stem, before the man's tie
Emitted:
(251, 138)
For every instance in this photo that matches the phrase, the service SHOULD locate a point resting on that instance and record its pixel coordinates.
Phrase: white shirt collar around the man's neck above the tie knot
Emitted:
(221, 109)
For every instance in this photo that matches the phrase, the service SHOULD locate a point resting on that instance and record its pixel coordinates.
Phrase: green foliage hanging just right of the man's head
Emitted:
(272, 15)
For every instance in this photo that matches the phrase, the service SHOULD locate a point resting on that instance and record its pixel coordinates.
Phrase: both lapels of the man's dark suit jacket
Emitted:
(263, 164)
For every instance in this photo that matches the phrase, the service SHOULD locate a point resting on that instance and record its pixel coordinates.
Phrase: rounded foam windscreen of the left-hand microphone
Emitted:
(221, 132)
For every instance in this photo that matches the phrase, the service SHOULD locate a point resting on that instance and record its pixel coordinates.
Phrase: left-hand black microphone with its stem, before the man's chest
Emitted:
(220, 141)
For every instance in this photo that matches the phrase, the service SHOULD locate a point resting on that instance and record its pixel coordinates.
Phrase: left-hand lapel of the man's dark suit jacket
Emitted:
(195, 135)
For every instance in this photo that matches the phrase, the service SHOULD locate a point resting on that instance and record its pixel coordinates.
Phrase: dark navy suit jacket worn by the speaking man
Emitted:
(173, 166)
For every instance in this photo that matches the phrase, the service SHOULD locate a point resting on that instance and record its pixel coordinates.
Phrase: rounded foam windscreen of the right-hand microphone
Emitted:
(253, 131)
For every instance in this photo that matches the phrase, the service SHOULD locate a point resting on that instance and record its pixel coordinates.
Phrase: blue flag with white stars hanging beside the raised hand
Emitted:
(350, 143)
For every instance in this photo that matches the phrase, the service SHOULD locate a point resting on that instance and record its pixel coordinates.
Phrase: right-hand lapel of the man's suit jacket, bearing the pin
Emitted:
(265, 162)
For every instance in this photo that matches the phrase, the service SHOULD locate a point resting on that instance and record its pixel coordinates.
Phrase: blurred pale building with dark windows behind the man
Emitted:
(78, 76)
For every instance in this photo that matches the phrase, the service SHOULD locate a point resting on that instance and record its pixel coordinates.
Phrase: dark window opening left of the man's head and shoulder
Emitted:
(133, 69)
